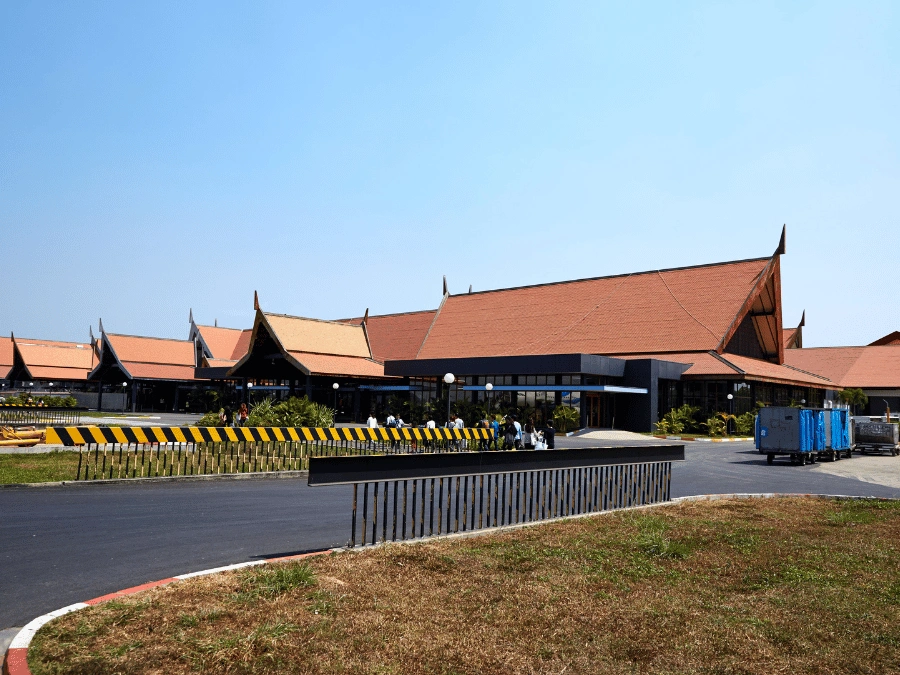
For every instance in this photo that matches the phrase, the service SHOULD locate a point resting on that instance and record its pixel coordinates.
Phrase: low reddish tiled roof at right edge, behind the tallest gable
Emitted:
(863, 367)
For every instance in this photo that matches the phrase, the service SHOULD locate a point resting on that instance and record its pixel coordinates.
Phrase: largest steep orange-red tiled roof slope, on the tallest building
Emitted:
(681, 310)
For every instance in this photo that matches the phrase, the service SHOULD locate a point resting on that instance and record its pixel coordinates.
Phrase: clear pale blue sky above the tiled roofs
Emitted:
(336, 156)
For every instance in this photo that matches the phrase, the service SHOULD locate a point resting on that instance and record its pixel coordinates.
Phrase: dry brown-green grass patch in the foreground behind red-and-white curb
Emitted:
(743, 586)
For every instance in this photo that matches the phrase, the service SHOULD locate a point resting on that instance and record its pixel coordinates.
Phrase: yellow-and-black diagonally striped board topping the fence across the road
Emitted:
(73, 436)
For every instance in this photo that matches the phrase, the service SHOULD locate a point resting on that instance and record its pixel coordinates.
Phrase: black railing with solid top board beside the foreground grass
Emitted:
(407, 497)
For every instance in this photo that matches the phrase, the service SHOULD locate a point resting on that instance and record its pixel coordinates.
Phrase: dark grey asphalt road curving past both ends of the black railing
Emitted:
(60, 545)
